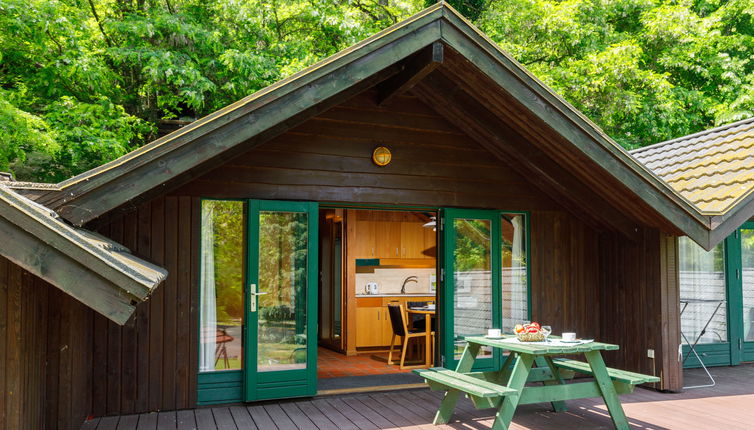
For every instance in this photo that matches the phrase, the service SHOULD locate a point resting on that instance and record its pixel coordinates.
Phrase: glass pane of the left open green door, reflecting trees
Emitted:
(283, 256)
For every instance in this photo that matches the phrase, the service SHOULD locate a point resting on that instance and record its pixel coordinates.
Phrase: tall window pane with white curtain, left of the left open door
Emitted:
(221, 285)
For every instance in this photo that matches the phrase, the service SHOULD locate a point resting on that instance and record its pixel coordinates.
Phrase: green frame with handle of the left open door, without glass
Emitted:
(282, 383)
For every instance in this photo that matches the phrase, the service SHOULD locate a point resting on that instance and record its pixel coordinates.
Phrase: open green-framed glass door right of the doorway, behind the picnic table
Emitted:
(472, 292)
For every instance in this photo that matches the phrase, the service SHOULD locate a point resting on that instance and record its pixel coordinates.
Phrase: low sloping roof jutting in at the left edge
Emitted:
(96, 271)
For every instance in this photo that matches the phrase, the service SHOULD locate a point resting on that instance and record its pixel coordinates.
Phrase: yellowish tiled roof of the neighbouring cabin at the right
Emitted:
(714, 169)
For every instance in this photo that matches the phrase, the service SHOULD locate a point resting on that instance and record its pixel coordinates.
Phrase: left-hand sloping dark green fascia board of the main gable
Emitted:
(129, 184)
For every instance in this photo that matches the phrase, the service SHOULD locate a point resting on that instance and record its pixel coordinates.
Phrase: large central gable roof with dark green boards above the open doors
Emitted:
(573, 139)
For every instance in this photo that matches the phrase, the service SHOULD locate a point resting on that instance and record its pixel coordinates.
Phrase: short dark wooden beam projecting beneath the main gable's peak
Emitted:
(413, 70)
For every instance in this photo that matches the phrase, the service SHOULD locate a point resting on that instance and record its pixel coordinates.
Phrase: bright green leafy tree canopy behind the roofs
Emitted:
(85, 81)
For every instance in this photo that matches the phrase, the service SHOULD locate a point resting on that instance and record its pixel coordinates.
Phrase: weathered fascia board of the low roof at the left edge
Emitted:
(62, 271)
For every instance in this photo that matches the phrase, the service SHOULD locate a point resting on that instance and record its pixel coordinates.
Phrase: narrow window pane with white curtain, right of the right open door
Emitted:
(514, 276)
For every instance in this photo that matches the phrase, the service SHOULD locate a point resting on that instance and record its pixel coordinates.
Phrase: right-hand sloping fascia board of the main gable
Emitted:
(573, 126)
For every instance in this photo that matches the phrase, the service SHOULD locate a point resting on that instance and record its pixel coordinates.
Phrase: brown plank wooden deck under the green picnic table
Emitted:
(729, 405)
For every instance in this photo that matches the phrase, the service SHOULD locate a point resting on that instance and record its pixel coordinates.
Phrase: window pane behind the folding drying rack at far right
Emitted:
(702, 279)
